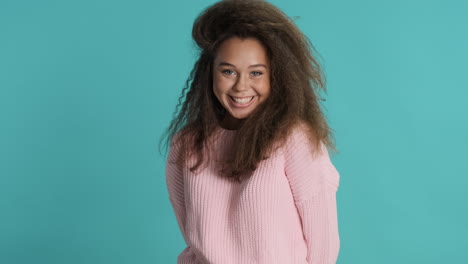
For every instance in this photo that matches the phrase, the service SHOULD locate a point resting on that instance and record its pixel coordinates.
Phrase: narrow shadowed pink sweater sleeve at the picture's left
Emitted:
(175, 186)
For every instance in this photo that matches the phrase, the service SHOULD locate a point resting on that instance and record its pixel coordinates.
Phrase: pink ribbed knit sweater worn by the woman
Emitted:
(285, 213)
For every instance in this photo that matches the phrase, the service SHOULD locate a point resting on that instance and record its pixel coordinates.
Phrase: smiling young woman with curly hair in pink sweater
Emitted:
(248, 172)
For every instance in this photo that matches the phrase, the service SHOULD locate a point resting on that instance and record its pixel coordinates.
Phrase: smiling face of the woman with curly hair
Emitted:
(241, 78)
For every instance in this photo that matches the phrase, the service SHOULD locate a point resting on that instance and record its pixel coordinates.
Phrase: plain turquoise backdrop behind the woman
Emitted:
(87, 88)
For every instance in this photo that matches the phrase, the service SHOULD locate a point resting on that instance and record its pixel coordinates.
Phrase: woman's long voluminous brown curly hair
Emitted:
(296, 80)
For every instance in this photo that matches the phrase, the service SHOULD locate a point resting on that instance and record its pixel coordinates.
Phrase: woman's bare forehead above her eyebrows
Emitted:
(242, 51)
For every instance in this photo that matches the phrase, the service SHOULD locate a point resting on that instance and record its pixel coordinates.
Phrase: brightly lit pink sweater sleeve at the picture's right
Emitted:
(314, 182)
